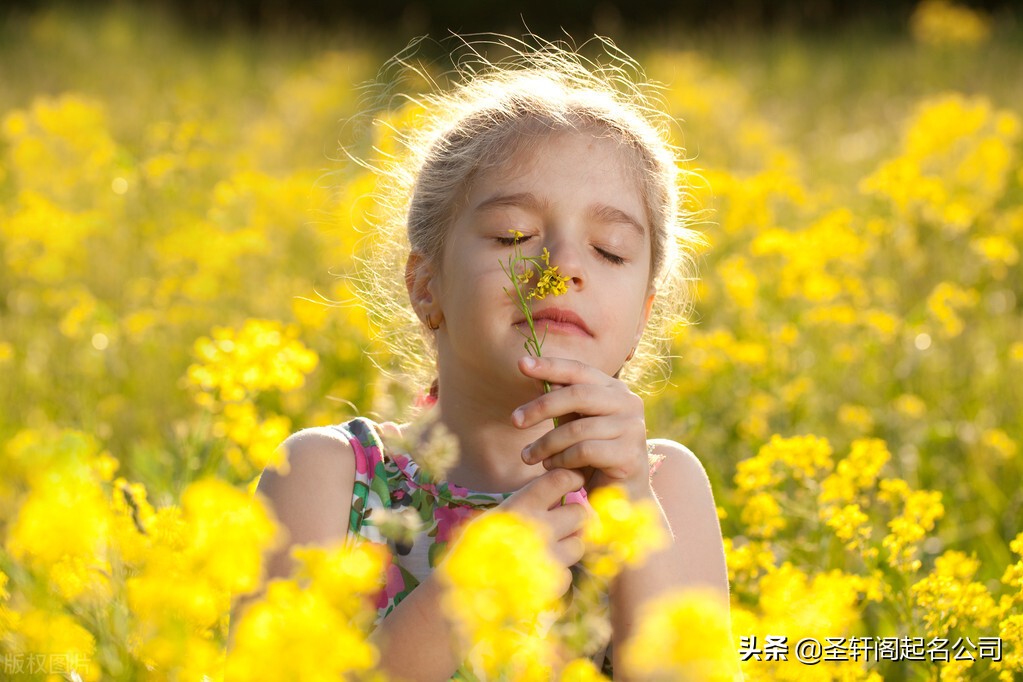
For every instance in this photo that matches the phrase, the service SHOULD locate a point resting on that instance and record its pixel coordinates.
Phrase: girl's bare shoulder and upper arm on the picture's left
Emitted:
(312, 496)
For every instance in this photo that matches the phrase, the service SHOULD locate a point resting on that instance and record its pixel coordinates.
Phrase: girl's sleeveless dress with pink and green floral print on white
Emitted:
(389, 480)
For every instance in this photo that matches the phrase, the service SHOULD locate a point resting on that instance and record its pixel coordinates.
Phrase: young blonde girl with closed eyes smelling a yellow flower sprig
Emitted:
(561, 152)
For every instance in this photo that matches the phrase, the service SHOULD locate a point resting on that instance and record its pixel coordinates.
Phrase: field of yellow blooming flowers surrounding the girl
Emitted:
(176, 223)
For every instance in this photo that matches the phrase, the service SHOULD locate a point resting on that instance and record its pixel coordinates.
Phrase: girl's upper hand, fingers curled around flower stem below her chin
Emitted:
(602, 425)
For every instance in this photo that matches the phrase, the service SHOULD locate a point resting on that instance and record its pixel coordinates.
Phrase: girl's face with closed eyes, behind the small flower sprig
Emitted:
(579, 197)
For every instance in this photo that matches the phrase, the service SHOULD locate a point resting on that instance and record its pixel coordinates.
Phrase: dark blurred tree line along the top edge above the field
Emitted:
(547, 18)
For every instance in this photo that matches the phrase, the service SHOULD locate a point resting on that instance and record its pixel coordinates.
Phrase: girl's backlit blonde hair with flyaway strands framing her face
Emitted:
(493, 111)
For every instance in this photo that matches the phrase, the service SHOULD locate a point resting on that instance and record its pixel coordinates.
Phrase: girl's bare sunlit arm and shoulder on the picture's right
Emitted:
(695, 555)
